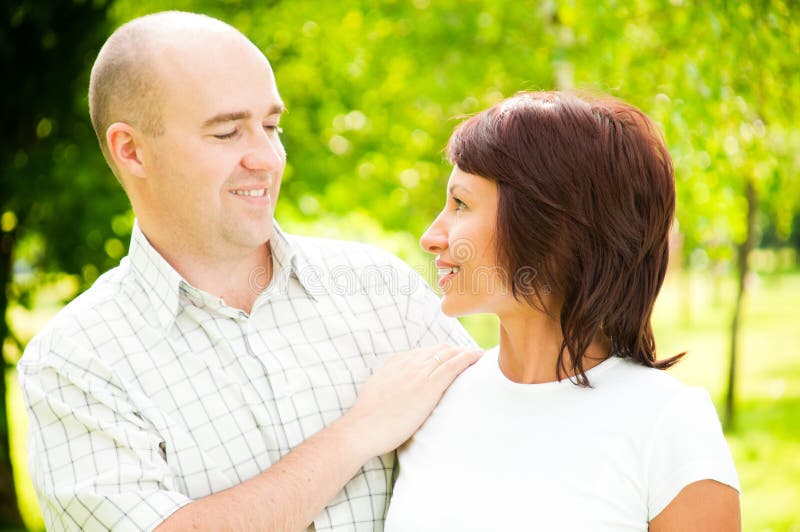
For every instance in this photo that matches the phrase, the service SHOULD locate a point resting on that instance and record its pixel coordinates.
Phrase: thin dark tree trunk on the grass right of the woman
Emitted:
(744, 252)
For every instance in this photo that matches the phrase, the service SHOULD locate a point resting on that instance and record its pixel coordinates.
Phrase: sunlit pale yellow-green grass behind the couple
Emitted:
(692, 314)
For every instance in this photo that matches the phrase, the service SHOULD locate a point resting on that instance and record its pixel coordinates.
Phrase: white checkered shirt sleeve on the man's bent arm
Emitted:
(94, 461)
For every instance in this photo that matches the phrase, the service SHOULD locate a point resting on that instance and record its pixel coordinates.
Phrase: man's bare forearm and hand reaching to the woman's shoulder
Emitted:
(392, 405)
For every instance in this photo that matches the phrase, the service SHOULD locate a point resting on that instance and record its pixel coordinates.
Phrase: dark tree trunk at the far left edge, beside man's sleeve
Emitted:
(9, 509)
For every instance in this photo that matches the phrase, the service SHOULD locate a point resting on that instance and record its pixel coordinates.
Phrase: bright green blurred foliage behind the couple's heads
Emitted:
(375, 88)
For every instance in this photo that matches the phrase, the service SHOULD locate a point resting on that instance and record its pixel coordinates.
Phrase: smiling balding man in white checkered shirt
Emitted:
(210, 381)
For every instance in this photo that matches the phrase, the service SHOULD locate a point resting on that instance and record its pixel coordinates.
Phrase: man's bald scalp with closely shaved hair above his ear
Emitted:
(127, 82)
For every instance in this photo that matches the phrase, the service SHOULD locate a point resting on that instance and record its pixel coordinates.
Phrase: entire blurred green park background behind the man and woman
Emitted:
(374, 88)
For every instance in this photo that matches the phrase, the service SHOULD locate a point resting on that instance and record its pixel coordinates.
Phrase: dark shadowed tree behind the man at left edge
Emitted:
(51, 188)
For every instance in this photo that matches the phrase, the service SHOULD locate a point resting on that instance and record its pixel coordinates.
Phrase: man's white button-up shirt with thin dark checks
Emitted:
(145, 393)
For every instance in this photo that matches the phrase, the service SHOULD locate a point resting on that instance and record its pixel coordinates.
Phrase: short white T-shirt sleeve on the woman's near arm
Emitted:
(688, 446)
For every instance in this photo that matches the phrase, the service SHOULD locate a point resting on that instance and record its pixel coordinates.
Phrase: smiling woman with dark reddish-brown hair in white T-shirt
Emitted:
(557, 220)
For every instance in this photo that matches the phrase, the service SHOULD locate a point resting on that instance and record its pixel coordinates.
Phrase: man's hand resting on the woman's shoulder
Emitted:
(395, 401)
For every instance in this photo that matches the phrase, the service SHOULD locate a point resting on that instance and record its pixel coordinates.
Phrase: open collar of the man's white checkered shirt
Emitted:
(163, 283)
